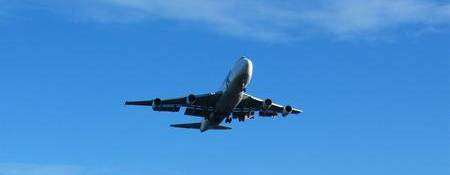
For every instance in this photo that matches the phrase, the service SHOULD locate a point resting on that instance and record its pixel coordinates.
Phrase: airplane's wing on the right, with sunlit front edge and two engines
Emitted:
(264, 107)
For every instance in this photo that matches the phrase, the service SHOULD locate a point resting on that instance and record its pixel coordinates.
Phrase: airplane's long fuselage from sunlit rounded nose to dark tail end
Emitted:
(233, 87)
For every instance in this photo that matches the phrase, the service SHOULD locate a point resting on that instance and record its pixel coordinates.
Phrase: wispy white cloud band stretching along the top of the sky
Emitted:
(273, 21)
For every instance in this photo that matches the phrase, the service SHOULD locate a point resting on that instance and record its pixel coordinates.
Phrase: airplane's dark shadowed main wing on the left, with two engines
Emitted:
(193, 103)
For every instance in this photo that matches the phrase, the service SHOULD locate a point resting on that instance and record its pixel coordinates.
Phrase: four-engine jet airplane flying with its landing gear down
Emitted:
(229, 103)
